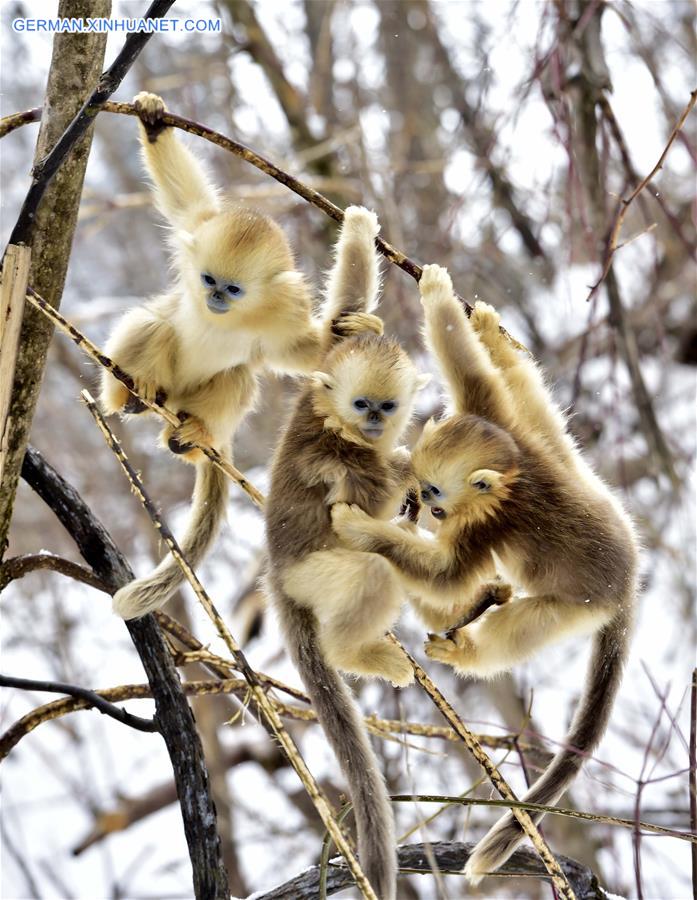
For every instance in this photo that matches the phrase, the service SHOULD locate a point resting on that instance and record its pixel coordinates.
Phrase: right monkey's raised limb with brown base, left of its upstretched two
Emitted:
(475, 385)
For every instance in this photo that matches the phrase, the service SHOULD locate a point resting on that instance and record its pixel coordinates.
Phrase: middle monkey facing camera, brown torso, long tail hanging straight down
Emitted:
(335, 605)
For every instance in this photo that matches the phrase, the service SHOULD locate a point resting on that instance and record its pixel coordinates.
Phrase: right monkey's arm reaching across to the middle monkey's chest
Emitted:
(432, 568)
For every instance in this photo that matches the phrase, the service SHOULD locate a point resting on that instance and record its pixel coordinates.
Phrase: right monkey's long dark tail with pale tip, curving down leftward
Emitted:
(610, 649)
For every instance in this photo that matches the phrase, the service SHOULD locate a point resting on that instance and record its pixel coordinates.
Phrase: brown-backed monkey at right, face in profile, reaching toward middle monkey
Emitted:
(502, 476)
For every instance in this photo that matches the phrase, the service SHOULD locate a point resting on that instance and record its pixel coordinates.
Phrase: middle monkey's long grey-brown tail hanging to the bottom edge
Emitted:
(341, 721)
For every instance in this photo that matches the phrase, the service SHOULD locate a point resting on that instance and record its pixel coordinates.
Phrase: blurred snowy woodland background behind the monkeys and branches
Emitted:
(495, 139)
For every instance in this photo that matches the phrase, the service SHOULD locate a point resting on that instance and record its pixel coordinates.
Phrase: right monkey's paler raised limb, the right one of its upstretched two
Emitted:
(534, 404)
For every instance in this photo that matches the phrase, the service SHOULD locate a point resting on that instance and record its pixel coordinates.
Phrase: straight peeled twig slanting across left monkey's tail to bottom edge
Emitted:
(255, 687)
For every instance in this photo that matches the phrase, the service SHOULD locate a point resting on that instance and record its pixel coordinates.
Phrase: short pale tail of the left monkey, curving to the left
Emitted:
(207, 512)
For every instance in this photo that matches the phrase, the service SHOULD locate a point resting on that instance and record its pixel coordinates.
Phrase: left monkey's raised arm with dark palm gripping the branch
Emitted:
(183, 193)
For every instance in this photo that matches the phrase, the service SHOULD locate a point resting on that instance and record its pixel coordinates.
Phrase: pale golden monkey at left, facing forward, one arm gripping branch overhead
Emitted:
(237, 305)
